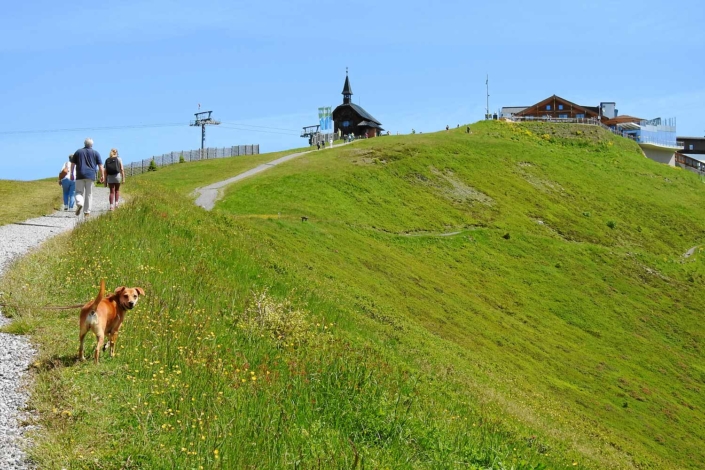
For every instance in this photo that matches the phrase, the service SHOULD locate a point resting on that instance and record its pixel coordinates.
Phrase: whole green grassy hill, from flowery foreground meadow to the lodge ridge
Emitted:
(512, 298)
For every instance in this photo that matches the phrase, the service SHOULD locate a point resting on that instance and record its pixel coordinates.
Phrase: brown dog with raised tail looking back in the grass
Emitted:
(104, 316)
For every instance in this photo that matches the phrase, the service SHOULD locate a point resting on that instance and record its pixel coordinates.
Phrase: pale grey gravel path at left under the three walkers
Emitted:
(16, 352)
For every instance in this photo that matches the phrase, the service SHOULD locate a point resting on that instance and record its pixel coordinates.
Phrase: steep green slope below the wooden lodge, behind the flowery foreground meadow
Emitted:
(594, 323)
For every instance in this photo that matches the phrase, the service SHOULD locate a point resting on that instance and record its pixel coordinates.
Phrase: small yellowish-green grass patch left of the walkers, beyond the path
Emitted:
(22, 200)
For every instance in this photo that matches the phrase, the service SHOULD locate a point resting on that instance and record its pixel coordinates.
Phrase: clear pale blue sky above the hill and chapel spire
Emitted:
(413, 64)
